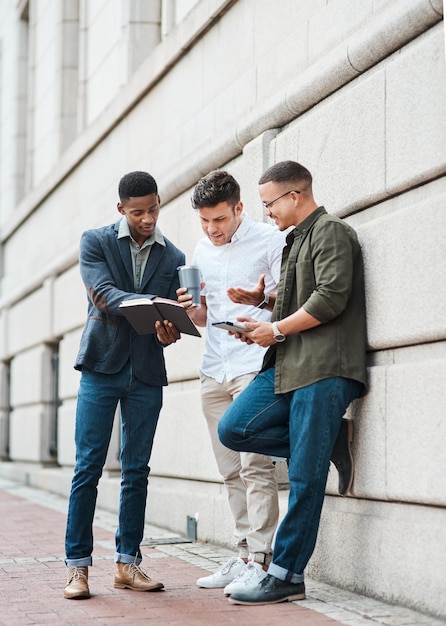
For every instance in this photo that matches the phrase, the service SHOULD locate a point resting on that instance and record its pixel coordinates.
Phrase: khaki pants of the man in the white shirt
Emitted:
(250, 478)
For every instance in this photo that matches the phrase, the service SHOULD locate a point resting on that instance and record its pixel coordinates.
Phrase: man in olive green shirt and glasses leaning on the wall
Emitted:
(314, 367)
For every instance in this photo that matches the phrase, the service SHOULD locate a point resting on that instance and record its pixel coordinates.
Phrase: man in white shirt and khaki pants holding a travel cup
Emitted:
(235, 251)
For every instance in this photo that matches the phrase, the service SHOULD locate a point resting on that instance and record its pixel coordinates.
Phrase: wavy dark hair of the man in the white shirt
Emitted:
(217, 186)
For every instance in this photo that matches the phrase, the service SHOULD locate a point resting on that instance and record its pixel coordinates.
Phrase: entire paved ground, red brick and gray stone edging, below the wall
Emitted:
(32, 576)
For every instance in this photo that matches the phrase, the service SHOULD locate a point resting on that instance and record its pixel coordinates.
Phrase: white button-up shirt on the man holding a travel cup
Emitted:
(255, 248)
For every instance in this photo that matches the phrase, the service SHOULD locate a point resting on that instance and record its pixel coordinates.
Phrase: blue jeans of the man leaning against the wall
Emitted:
(302, 426)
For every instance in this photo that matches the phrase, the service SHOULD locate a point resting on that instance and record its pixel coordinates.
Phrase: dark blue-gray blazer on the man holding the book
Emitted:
(108, 341)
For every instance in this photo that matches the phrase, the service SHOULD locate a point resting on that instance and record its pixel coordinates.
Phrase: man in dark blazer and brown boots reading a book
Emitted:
(117, 263)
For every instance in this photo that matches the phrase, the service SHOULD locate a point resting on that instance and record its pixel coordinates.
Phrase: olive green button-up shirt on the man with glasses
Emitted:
(322, 271)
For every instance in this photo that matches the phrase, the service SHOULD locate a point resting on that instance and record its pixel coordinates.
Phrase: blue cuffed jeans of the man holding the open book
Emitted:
(98, 398)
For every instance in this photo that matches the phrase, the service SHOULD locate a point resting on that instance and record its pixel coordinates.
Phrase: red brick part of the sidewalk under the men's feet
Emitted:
(32, 577)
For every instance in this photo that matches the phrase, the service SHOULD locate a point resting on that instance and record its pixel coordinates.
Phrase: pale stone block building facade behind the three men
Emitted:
(356, 91)
